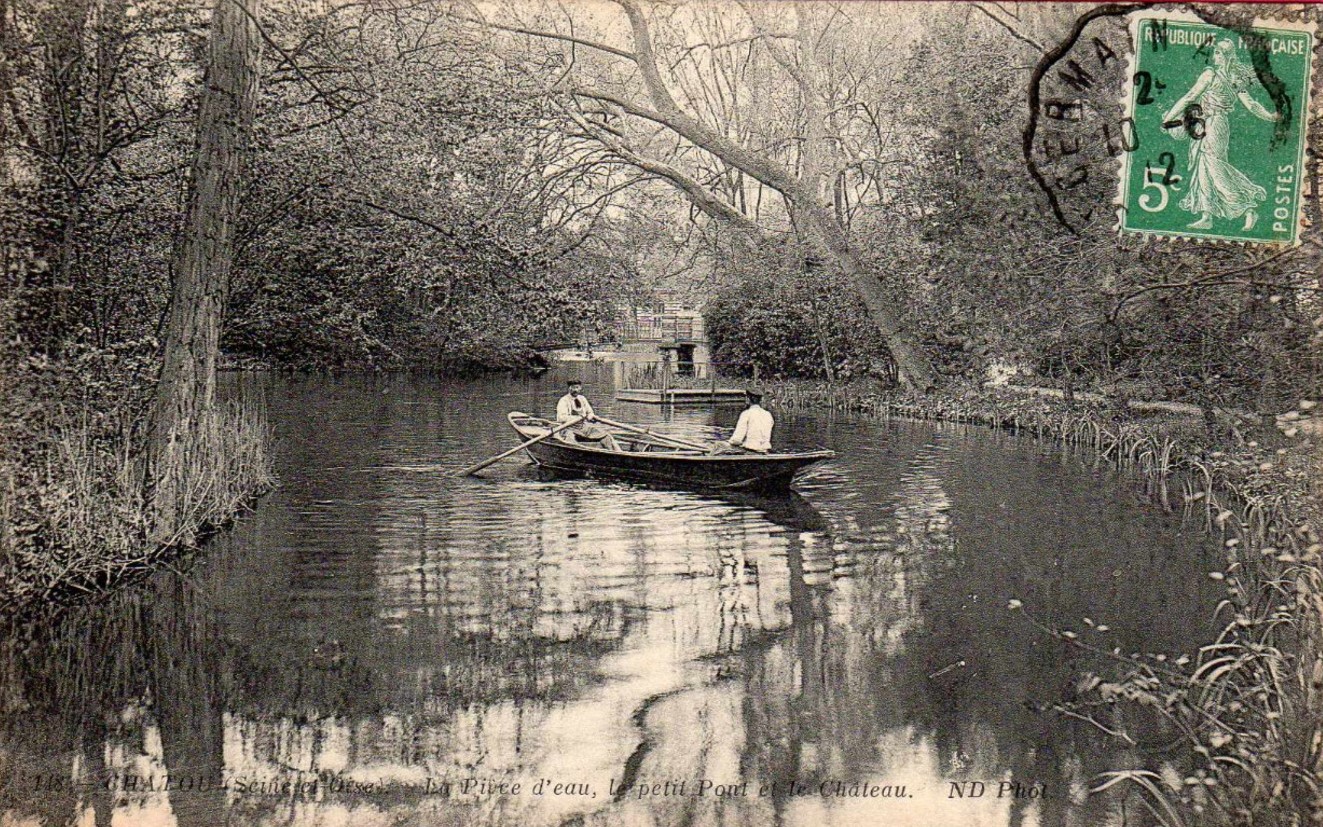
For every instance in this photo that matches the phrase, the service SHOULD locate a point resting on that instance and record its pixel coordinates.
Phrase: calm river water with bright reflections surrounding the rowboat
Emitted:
(383, 644)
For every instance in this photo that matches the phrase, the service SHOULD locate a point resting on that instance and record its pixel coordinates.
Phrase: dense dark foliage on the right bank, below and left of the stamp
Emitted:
(1201, 324)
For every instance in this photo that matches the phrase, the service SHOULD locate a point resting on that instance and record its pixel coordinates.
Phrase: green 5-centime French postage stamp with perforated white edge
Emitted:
(1216, 125)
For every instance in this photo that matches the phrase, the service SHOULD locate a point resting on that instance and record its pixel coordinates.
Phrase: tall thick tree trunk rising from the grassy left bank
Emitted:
(186, 394)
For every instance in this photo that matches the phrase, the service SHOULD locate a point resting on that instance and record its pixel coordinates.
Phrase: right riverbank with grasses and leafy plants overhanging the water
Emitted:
(1248, 707)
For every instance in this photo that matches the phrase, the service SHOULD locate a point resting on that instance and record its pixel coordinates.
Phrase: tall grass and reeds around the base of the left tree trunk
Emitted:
(76, 517)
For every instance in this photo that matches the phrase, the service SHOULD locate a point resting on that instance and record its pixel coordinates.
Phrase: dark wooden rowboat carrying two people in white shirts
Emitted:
(653, 458)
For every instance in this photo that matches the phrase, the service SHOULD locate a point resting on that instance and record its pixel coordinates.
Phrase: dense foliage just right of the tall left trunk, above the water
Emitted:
(412, 216)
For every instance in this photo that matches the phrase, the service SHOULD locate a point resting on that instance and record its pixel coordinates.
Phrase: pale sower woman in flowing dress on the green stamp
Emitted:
(1216, 187)
